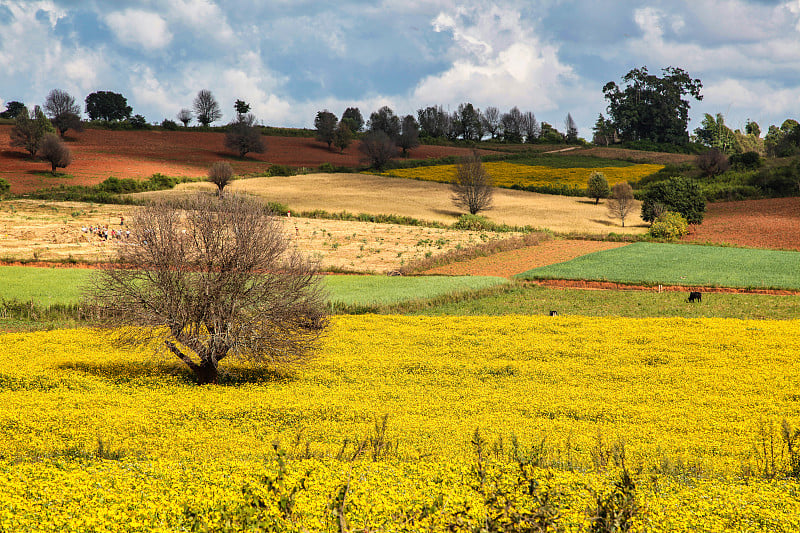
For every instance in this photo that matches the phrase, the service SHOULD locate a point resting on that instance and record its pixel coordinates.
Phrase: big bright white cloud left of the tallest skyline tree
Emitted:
(497, 59)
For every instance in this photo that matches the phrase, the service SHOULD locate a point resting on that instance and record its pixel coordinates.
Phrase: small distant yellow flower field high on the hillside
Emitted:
(507, 174)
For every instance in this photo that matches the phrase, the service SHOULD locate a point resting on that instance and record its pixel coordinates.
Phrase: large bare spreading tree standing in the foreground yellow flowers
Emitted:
(211, 278)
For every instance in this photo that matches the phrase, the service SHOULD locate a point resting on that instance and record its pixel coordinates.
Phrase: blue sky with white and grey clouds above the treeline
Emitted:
(291, 58)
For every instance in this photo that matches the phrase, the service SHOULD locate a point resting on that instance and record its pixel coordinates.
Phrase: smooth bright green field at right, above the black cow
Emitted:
(678, 264)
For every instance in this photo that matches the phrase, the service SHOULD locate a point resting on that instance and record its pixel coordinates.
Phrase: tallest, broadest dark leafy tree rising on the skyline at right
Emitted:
(652, 108)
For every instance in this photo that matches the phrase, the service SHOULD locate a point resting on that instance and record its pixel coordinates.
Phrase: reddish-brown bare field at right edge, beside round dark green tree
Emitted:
(770, 223)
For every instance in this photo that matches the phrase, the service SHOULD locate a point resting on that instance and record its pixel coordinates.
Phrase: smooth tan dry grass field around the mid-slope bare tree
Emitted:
(362, 193)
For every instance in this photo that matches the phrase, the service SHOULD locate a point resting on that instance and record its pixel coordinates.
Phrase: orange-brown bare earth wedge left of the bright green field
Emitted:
(507, 264)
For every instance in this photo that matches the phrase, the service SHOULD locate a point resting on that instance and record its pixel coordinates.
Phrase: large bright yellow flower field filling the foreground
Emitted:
(94, 438)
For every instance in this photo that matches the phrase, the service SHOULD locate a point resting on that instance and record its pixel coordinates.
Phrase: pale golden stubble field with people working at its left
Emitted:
(53, 231)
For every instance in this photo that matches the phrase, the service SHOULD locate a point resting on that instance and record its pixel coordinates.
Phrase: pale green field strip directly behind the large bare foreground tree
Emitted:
(62, 286)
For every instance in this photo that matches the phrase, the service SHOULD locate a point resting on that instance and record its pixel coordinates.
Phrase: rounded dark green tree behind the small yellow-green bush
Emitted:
(678, 194)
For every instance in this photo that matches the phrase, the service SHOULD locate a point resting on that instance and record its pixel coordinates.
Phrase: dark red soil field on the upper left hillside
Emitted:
(98, 154)
